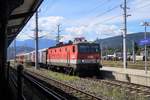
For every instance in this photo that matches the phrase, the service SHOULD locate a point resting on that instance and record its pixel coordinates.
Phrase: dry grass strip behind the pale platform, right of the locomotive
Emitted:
(130, 64)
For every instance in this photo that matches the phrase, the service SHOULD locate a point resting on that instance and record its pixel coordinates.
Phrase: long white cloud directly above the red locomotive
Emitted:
(91, 32)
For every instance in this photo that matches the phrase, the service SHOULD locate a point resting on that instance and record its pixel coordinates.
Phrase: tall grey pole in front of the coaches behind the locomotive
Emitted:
(36, 41)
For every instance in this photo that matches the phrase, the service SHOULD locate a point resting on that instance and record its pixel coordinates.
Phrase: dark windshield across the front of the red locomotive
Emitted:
(88, 48)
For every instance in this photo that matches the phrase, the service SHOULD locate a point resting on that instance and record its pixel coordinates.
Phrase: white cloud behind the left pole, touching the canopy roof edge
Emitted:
(47, 28)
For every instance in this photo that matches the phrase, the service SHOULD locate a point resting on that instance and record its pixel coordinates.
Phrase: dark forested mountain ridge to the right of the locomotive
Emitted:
(116, 42)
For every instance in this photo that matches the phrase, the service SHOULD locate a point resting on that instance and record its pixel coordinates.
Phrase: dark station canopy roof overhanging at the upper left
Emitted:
(20, 16)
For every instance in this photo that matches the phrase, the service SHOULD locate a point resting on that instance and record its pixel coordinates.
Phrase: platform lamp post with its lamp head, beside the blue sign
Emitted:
(145, 24)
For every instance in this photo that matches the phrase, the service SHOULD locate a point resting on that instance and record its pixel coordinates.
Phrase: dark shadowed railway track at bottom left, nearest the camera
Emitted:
(43, 88)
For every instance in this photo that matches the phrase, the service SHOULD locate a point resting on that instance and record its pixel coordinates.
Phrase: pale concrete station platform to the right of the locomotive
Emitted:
(128, 75)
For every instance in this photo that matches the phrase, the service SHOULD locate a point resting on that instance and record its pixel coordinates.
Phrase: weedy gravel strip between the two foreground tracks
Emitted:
(96, 88)
